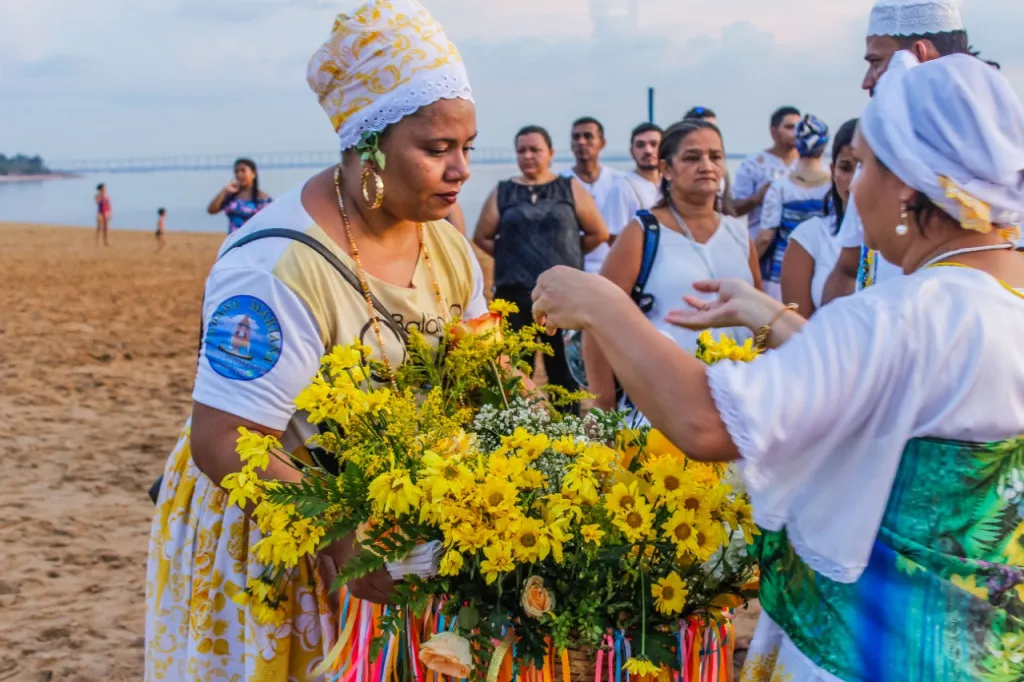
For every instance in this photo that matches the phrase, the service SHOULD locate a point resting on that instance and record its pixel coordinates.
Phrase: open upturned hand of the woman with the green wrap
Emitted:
(739, 305)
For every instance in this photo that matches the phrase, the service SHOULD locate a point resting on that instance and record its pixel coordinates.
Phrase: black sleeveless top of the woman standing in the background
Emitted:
(538, 230)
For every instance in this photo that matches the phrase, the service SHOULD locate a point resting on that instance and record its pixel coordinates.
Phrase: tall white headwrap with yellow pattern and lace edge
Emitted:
(386, 62)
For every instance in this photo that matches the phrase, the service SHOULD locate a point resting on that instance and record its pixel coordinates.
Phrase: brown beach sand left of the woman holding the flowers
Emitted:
(98, 357)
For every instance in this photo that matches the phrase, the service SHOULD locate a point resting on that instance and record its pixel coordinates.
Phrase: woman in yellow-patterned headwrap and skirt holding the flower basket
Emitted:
(398, 95)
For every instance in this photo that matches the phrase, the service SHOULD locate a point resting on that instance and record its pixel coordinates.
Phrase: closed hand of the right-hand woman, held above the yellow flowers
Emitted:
(565, 299)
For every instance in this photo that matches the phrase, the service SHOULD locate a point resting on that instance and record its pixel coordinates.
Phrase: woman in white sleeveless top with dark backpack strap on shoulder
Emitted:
(696, 243)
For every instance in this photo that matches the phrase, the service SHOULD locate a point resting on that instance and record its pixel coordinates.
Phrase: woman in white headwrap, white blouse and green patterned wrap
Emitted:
(882, 441)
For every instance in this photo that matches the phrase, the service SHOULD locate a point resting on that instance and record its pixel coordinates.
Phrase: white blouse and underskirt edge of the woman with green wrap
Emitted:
(822, 422)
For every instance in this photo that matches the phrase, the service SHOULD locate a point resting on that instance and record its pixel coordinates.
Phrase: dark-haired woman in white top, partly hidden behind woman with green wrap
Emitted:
(814, 245)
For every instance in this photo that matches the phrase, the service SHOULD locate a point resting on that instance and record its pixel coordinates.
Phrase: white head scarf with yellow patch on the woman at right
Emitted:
(953, 130)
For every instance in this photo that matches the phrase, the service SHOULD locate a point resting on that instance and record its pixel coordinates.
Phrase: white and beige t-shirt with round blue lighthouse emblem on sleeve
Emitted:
(272, 310)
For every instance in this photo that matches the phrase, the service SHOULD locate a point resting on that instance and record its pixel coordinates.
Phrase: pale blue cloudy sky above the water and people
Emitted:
(125, 78)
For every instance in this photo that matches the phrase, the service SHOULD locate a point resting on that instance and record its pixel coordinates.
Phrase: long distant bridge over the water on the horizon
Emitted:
(195, 162)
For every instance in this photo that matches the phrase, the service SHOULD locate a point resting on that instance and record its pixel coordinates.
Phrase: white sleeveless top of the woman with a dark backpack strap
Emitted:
(680, 263)
